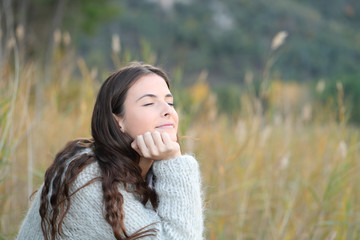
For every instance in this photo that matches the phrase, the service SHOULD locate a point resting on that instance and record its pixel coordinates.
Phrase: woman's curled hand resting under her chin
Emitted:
(156, 146)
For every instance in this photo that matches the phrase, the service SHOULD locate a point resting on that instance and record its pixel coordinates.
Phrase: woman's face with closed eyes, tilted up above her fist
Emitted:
(149, 107)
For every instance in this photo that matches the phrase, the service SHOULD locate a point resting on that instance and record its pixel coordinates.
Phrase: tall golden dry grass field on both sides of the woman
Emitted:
(286, 174)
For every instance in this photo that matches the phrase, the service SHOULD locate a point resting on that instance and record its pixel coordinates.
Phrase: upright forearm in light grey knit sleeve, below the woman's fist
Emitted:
(178, 185)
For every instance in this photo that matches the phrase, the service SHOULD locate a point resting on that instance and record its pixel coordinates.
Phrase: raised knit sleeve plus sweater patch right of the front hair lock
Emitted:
(179, 214)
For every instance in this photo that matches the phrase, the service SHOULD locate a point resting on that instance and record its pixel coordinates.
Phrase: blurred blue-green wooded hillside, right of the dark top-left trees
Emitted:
(322, 41)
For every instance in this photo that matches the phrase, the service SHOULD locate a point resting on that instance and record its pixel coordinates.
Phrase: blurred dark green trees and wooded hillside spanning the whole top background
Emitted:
(227, 37)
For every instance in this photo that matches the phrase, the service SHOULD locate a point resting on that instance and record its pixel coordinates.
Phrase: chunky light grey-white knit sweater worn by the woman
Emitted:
(179, 214)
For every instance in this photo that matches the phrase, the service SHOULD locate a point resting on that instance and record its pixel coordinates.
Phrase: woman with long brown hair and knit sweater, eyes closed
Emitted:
(130, 181)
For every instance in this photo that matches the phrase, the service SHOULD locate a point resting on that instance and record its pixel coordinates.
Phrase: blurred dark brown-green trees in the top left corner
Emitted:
(37, 21)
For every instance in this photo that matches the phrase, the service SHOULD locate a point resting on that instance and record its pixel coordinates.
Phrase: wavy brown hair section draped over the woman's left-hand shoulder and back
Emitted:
(55, 195)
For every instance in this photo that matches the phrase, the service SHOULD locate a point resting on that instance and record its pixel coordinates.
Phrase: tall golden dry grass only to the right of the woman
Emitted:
(284, 178)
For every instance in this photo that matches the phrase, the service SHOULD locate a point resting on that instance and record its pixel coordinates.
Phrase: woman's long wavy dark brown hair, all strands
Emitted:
(110, 147)
